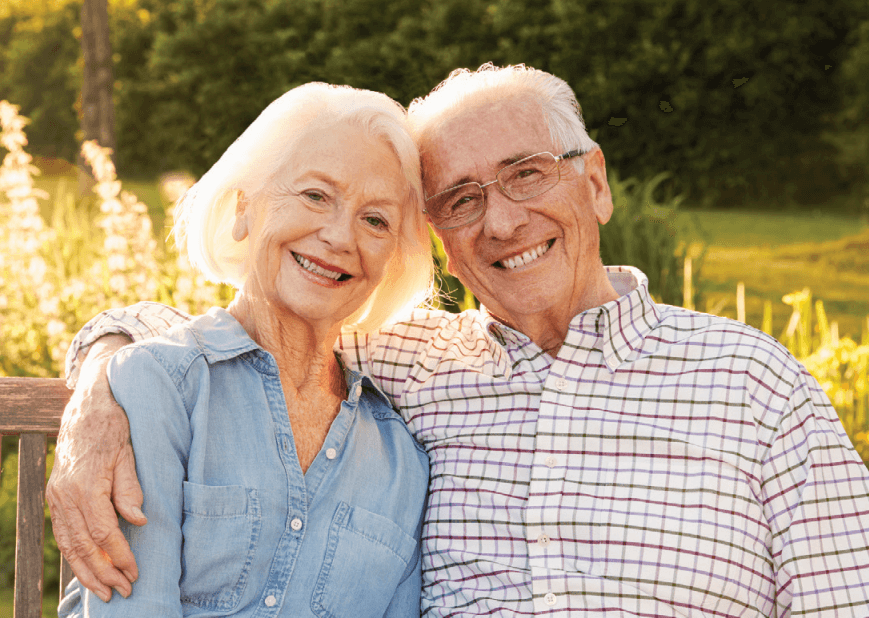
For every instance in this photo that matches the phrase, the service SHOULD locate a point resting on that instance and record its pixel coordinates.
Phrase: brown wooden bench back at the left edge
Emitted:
(31, 409)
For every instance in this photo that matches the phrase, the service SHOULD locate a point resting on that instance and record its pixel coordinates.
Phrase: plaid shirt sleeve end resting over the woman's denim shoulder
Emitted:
(139, 321)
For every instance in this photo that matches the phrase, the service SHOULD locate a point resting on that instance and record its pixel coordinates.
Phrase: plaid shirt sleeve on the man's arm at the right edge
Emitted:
(814, 490)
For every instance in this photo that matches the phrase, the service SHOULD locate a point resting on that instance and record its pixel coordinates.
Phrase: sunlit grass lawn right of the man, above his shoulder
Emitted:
(774, 254)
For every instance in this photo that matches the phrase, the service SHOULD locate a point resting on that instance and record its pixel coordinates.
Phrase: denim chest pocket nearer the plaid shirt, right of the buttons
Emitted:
(366, 556)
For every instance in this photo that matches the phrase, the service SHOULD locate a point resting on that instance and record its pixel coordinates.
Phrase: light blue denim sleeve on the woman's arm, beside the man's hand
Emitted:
(160, 431)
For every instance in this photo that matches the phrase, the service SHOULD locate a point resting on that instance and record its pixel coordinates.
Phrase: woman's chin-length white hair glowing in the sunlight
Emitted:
(251, 163)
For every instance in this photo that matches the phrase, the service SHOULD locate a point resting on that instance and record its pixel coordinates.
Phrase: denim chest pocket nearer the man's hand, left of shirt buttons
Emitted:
(220, 531)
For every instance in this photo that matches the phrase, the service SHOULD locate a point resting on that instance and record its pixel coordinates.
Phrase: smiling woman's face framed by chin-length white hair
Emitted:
(325, 229)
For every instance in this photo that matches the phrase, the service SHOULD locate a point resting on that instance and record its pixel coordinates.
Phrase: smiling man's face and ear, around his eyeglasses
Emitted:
(560, 226)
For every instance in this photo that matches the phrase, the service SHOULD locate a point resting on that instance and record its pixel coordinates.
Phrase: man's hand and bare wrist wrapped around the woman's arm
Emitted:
(94, 467)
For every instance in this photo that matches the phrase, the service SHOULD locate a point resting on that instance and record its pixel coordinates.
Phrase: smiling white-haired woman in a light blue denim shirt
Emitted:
(277, 482)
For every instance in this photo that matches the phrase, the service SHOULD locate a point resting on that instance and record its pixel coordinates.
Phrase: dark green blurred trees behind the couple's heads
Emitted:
(739, 101)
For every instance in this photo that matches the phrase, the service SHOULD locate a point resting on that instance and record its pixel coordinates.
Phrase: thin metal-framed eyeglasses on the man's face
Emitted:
(522, 180)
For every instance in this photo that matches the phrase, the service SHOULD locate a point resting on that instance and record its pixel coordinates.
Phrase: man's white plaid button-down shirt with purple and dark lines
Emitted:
(665, 463)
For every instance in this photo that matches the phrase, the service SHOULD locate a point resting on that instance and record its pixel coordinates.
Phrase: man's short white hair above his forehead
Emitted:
(464, 88)
